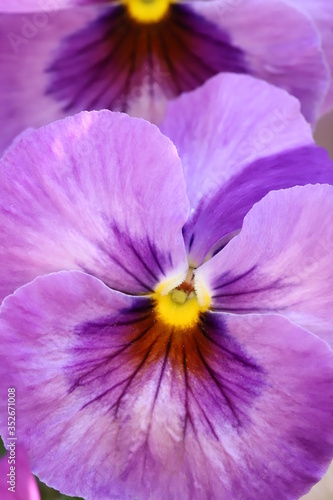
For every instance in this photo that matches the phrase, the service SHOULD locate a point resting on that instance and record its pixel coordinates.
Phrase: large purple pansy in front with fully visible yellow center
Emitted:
(164, 332)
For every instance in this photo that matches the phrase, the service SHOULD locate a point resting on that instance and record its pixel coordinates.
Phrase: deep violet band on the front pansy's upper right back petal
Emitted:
(233, 200)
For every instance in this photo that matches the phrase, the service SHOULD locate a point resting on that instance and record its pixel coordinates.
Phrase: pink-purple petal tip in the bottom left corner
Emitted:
(16, 479)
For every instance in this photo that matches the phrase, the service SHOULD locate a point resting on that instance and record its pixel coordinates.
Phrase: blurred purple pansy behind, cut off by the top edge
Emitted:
(59, 58)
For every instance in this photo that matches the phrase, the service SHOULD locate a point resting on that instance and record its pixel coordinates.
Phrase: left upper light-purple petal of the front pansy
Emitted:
(101, 192)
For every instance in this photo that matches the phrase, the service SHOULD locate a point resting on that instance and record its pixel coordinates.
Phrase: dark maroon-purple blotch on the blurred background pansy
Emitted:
(104, 64)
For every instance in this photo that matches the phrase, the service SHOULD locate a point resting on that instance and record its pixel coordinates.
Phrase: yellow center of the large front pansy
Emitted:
(180, 307)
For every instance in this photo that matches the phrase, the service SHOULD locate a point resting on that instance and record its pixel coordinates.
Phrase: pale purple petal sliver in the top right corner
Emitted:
(321, 12)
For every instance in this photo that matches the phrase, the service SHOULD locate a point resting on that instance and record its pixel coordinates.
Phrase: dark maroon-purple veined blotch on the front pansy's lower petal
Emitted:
(115, 357)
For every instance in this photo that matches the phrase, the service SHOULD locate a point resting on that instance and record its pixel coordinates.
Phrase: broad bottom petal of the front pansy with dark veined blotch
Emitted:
(105, 414)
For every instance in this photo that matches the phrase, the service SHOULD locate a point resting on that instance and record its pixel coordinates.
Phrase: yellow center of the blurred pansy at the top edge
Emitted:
(147, 11)
